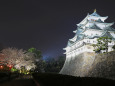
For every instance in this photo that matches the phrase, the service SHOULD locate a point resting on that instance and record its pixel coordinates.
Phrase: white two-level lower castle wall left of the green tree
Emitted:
(79, 48)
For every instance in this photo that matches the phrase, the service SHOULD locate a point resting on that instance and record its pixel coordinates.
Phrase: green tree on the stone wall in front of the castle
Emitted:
(102, 44)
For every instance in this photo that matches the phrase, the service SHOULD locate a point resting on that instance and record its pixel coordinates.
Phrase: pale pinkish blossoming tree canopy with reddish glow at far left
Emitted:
(18, 58)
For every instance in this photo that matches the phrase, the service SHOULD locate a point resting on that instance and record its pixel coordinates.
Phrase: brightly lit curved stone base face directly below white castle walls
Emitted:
(78, 65)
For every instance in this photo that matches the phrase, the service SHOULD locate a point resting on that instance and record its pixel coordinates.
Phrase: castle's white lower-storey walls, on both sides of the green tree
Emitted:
(84, 46)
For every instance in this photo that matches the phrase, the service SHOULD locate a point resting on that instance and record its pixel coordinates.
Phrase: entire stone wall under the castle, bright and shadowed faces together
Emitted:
(91, 65)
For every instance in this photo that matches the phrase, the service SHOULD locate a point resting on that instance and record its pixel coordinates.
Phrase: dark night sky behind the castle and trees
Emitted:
(46, 25)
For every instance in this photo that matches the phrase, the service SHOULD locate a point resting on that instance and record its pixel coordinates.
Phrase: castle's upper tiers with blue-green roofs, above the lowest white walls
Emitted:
(92, 22)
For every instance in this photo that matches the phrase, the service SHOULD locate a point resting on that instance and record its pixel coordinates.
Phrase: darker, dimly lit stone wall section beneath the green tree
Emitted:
(103, 66)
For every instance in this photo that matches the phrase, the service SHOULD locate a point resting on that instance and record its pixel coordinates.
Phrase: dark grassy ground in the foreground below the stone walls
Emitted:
(48, 79)
